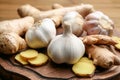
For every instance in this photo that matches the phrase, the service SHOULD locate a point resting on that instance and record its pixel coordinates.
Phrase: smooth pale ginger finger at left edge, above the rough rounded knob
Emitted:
(19, 26)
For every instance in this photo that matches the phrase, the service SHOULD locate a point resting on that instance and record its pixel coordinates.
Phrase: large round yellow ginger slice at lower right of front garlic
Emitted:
(84, 68)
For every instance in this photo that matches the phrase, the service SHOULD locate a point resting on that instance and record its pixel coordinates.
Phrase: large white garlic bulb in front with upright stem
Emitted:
(66, 48)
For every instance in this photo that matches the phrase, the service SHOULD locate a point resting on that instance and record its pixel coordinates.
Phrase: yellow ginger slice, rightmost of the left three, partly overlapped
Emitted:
(39, 60)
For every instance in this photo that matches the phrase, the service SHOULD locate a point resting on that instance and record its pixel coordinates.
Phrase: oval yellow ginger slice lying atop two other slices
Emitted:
(29, 54)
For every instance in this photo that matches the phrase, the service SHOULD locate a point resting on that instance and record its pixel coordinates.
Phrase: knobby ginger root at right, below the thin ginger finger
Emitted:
(102, 56)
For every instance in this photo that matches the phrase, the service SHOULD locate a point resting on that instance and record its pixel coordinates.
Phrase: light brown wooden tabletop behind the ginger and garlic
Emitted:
(8, 9)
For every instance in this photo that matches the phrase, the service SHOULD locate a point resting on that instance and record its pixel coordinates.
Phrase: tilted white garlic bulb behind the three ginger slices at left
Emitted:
(41, 34)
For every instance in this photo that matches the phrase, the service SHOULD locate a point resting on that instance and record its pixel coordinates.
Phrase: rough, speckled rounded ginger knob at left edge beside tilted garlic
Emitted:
(10, 43)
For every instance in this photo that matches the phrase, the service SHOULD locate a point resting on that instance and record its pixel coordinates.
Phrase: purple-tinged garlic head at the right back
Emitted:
(98, 23)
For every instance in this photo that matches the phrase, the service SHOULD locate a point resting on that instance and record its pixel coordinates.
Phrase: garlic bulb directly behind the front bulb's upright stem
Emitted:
(76, 21)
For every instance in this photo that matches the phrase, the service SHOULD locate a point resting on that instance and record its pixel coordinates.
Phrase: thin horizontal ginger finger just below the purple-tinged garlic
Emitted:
(98, 39)
